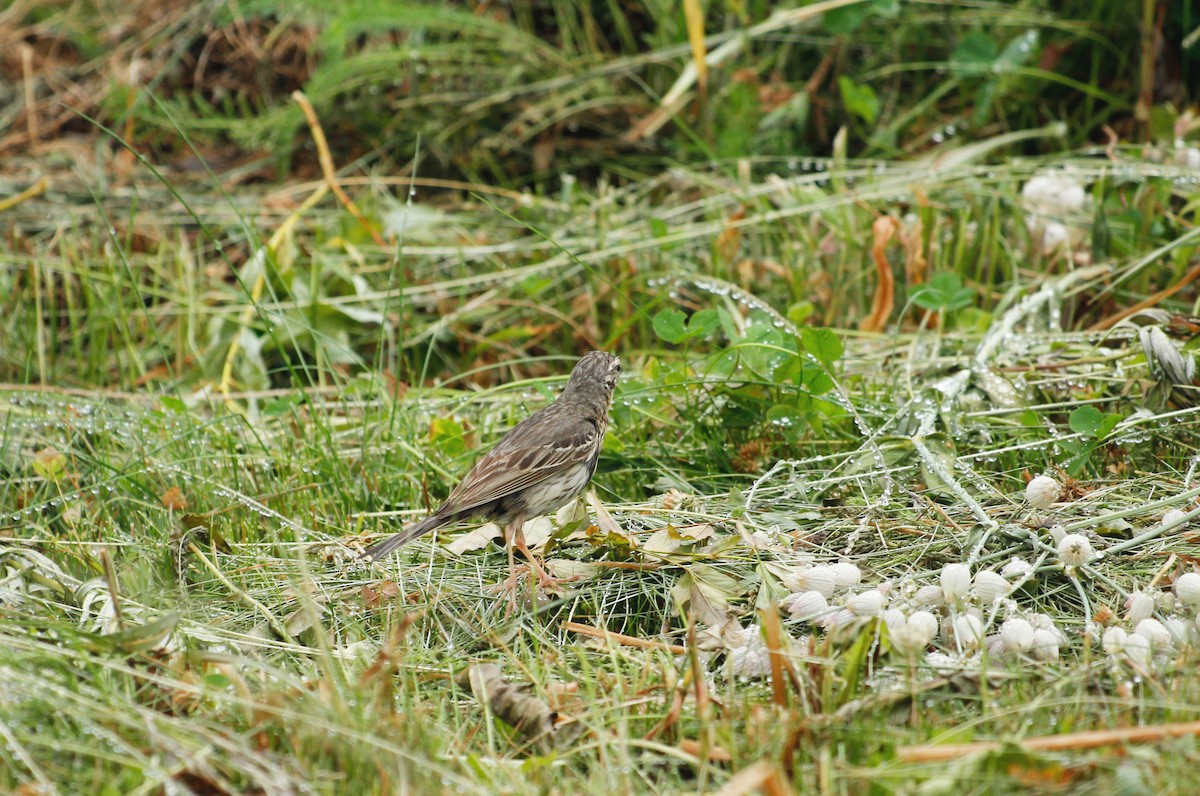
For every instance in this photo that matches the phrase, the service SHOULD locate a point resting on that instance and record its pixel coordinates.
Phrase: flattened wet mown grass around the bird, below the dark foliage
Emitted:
(235, 643)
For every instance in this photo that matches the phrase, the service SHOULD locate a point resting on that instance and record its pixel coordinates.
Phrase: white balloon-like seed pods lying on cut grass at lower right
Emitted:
(961, 613)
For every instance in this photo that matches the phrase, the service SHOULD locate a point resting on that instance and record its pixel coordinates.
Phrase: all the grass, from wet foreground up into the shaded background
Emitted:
(214, 398)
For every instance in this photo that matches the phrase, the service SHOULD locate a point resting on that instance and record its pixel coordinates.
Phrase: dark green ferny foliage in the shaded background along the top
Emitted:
(482, 89)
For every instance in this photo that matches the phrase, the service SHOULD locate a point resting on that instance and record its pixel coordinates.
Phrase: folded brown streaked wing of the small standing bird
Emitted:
(509, 469)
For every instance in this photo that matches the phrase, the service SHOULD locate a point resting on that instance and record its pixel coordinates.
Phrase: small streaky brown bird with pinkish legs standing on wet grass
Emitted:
(541, 465)
